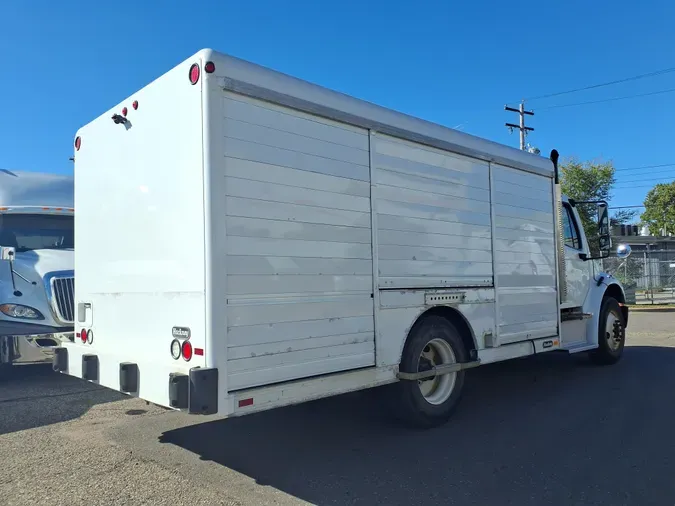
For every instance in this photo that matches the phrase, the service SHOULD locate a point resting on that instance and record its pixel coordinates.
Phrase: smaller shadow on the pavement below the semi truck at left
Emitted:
(34, 396)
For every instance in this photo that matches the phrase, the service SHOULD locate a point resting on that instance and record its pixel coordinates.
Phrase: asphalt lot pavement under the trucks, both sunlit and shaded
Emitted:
(547, 430)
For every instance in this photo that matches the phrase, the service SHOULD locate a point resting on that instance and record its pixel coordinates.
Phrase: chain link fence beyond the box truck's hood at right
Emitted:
(648, 276)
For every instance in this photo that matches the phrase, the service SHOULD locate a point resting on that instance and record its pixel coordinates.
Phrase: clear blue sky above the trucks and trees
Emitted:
(455, 63)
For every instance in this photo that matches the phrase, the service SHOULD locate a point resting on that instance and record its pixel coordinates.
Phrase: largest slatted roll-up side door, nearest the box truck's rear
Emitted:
(298, 248)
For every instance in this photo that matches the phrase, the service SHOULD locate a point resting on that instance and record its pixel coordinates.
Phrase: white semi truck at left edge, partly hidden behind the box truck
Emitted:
(36, 265)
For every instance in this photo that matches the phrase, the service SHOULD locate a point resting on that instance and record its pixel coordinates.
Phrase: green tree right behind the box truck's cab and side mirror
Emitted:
(591, 181)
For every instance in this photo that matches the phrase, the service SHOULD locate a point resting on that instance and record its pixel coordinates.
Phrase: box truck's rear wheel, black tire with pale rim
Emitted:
(430, 403)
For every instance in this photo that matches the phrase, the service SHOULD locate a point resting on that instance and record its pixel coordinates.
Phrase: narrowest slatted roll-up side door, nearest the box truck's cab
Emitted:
(524, 255)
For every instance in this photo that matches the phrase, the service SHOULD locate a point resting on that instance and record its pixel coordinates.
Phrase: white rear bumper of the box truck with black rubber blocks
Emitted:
(194, 390)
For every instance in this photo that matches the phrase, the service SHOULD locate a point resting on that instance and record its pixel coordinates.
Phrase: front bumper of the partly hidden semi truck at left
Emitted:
(31, 349)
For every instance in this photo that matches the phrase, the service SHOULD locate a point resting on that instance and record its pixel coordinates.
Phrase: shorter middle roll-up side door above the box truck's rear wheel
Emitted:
(433, 216)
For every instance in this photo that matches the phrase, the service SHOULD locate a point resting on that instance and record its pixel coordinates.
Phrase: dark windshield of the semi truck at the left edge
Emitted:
(27, 232)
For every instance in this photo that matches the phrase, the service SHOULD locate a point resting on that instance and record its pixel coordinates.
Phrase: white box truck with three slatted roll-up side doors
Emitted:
(283, 242)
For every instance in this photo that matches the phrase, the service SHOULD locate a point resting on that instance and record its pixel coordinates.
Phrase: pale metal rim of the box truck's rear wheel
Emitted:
(437, 390)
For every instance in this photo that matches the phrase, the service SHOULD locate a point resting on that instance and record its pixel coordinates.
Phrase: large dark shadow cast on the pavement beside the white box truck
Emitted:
(552, 429)
